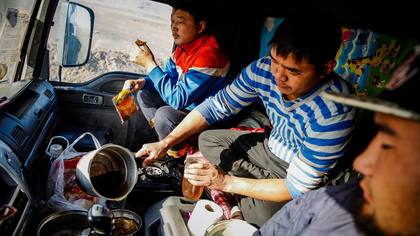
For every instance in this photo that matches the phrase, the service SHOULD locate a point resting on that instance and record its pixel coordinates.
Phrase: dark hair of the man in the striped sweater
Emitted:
(309, 34)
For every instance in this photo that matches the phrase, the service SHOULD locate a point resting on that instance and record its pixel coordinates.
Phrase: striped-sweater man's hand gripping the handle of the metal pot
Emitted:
(152, 152)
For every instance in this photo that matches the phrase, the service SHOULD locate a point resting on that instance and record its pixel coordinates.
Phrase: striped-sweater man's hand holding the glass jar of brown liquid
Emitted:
(203, 173)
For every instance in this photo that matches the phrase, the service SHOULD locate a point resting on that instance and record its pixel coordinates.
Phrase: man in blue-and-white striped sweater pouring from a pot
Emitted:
(308, 134)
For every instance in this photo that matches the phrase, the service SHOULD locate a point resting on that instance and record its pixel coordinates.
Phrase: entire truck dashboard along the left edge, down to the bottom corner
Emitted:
(24, 124)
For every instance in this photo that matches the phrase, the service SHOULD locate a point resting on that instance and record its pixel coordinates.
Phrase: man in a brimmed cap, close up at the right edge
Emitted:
(386, 201)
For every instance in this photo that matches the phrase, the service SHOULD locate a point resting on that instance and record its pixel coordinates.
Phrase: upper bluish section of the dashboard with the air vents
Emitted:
(23, 120)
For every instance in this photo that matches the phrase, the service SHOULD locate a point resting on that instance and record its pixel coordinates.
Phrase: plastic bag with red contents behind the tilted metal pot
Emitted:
(62, 187)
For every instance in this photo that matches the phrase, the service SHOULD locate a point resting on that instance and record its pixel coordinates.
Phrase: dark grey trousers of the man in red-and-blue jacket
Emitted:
(164, 116)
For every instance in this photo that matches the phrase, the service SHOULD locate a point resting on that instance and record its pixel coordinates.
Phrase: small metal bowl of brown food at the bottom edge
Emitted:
(125, 222)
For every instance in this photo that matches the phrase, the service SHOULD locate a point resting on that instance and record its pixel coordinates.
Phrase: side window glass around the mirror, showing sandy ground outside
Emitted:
(116, 27)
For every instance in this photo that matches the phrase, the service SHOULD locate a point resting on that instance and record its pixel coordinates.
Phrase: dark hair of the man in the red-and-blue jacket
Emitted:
(198, 10)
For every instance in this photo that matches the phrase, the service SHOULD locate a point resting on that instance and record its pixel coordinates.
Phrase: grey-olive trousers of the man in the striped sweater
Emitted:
(245, 154)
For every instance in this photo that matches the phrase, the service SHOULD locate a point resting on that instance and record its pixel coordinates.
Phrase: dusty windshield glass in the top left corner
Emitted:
(14, 20)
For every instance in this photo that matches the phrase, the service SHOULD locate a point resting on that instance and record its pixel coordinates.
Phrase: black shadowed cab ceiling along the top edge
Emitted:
(396, 18)
